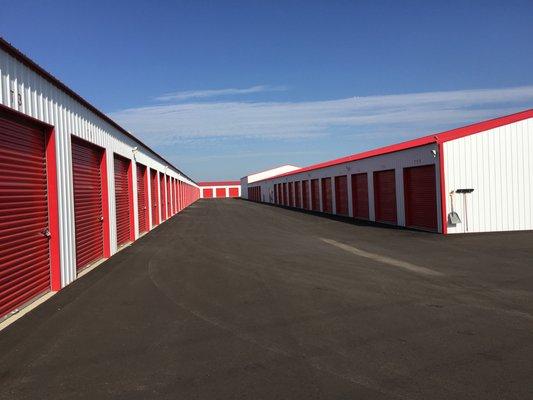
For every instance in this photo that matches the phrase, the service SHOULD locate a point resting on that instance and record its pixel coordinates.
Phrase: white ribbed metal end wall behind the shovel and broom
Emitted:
(498, 165)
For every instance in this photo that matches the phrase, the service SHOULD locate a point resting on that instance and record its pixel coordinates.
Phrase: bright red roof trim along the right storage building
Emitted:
(435, 138)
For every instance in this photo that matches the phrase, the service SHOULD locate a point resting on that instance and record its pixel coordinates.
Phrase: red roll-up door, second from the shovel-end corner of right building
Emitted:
(385, 196)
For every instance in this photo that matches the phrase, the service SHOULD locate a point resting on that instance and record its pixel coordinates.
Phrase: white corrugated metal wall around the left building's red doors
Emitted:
(24, 90)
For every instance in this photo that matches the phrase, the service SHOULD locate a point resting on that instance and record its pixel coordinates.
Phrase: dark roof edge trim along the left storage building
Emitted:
(21, 57)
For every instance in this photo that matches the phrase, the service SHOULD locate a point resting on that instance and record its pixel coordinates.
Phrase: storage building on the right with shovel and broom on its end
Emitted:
(477, 178)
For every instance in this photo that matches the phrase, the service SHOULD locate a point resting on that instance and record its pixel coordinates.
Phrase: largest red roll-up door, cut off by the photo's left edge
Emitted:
(24, 250)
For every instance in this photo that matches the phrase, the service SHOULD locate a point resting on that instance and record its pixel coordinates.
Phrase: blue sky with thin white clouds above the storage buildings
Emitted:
(225, 88)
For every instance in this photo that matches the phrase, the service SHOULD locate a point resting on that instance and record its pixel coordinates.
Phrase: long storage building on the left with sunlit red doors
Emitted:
(75, 186)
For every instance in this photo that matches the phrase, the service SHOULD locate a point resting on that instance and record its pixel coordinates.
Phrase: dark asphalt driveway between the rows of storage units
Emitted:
(236, 300)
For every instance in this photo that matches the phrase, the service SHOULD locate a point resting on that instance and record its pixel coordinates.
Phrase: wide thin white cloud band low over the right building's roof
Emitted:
(401, 115)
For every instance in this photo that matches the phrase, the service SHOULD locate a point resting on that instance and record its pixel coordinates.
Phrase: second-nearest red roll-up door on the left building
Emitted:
(88, 211)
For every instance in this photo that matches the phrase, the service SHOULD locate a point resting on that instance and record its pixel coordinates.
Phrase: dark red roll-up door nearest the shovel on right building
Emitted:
(420, 192)
